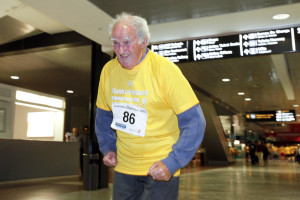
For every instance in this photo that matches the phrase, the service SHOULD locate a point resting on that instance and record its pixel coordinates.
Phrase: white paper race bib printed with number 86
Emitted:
(129, 118)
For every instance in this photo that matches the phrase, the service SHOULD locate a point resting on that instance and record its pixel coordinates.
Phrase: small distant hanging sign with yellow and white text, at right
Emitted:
(271, 116)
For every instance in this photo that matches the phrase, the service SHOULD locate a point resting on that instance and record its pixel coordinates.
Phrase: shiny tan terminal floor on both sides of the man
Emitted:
(280, 180)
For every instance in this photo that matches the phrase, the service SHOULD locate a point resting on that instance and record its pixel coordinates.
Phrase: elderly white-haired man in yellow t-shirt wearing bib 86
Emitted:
(149, 123)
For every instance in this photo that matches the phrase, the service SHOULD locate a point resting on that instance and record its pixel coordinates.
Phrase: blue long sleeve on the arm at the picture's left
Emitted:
(106, 136)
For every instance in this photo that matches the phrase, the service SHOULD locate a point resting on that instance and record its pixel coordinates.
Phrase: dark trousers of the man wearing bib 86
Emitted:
(130, 187)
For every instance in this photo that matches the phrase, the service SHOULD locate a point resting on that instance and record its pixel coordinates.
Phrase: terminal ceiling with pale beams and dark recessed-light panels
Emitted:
(56, 70)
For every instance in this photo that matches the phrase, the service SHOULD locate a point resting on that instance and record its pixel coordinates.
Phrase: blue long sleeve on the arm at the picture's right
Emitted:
(192, 126)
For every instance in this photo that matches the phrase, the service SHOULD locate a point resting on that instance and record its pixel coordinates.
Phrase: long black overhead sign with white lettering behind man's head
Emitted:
(240, 45)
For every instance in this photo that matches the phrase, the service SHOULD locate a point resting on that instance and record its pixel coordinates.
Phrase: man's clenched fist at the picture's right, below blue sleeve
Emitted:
(159, 172)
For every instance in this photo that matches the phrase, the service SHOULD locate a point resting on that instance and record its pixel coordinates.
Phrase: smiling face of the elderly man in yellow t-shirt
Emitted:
(126, 45)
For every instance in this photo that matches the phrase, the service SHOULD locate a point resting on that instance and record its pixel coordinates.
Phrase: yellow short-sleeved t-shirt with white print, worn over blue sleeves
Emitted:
(160, 90)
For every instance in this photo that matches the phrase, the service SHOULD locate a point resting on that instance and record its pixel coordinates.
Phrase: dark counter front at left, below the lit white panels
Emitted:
(26, 159)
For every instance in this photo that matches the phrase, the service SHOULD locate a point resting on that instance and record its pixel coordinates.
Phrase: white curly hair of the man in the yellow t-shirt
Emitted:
(139, 23)
